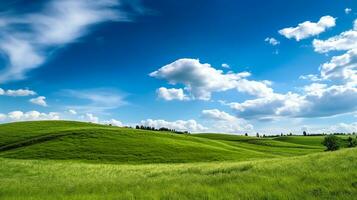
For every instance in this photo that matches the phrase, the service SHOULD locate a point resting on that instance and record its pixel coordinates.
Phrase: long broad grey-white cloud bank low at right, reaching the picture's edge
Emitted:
(318, 100)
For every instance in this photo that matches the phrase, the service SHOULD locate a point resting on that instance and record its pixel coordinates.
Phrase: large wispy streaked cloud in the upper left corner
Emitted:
(26, 38)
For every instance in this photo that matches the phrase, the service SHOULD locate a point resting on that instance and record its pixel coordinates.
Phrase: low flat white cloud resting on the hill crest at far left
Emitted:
(32, 115)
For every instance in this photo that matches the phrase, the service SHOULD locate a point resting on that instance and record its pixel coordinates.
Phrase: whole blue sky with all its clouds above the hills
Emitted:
(203, 66)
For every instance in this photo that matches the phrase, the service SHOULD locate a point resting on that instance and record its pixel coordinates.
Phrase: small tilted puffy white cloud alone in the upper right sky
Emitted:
(308, 29)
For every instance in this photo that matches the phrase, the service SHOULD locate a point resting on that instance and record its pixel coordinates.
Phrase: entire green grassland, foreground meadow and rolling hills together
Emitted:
(75, 160)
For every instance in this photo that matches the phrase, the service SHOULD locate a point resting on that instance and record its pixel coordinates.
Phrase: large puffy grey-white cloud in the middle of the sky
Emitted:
(201, 79)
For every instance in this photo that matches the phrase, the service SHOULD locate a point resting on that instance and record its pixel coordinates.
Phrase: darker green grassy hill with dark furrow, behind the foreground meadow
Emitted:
(63, 140)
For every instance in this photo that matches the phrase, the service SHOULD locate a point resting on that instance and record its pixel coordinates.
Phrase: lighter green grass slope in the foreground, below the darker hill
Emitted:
(327, 175)
